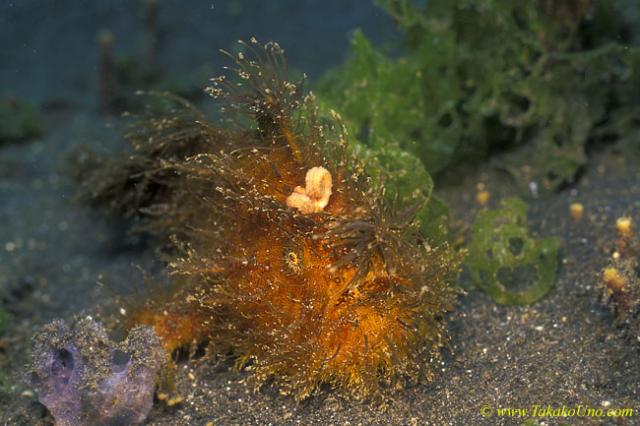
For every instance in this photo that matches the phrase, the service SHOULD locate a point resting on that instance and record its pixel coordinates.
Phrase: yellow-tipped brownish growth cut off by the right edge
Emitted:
(620, 281)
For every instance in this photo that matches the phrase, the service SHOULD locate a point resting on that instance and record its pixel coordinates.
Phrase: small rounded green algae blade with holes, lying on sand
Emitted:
(502, 256)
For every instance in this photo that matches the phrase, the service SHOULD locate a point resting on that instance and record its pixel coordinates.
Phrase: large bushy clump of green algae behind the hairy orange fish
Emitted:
(531, 81)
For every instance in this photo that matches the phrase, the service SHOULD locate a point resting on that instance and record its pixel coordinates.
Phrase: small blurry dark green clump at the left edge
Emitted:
(19, 120)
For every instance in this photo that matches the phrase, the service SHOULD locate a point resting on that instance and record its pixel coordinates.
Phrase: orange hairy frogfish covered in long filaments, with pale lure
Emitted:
(349, 294)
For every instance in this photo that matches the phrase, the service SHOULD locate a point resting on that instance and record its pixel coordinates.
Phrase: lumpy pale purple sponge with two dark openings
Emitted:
(83, 378)
